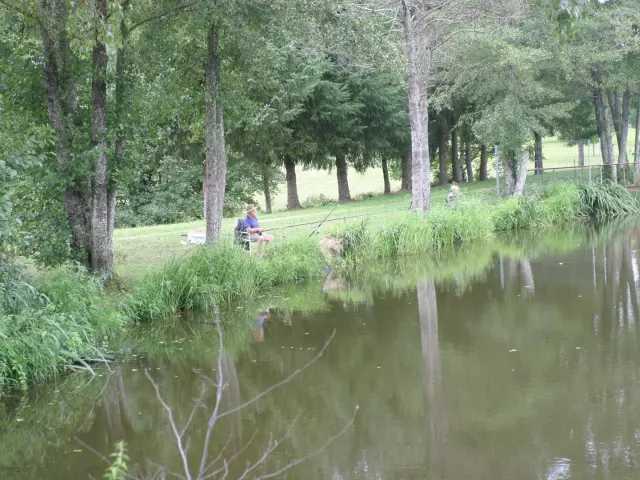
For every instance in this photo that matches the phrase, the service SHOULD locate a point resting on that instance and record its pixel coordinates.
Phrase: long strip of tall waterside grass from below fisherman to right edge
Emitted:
(226, 274)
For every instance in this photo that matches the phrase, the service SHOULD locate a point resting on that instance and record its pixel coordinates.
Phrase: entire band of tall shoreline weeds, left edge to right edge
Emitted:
(66, 318)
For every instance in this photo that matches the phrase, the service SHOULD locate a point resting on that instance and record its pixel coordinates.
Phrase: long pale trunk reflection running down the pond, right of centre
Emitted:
(428, 310)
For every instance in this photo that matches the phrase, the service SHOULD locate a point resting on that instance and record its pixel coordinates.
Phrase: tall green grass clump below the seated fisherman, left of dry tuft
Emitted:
(223, 274)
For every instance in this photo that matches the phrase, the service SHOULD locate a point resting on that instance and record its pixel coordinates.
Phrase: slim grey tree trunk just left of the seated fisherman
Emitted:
(215, 153)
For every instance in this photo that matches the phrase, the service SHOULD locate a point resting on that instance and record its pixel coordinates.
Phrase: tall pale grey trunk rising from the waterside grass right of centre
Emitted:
(419, 59)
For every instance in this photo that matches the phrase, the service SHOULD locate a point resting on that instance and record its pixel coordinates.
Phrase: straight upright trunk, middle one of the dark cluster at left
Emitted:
(101, 254)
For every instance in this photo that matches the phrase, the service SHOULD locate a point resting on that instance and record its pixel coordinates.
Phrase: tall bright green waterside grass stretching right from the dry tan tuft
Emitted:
(555, 205)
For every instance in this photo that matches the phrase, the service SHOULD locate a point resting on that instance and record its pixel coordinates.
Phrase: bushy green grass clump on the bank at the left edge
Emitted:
(61, 320)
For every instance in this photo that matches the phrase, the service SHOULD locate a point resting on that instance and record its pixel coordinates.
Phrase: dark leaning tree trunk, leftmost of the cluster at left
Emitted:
(61, 106)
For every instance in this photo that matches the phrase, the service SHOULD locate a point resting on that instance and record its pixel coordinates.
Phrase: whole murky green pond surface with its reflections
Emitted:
(521, 363)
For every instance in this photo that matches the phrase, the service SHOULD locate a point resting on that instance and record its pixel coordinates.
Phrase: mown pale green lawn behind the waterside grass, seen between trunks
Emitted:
(138, 250)
